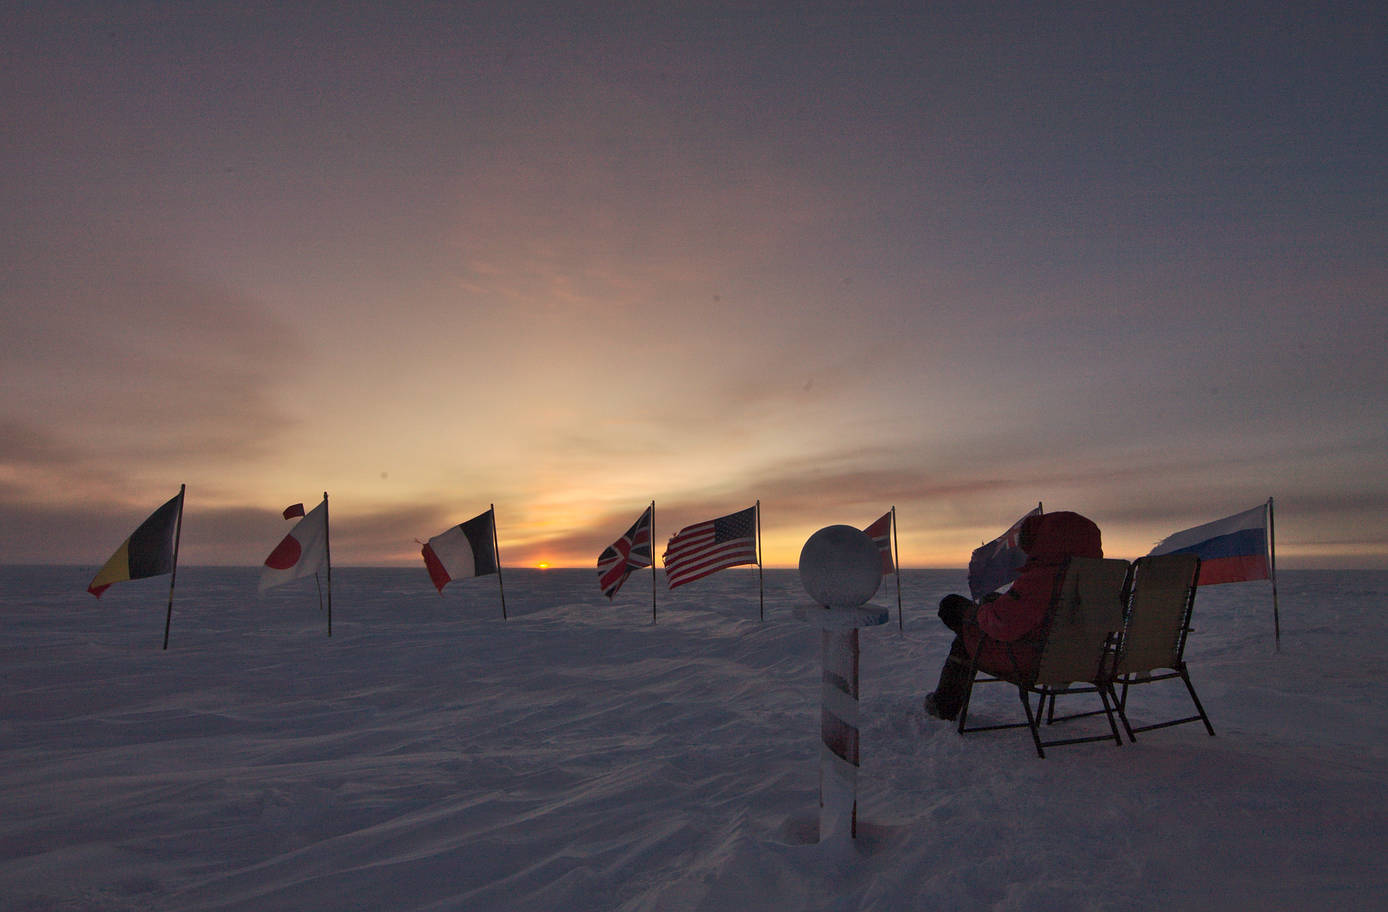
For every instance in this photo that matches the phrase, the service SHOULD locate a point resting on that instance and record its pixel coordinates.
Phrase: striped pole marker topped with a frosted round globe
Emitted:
(840, 568)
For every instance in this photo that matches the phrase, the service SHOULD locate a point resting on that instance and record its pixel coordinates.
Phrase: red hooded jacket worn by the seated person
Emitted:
(1006, 634)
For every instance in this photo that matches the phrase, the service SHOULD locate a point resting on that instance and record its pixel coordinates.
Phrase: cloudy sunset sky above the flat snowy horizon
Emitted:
(1128, 260)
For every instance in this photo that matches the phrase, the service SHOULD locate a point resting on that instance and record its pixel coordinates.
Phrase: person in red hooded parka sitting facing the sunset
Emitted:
(1006, 631)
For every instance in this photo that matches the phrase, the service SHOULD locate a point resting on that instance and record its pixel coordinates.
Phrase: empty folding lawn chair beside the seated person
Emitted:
(1154, 632)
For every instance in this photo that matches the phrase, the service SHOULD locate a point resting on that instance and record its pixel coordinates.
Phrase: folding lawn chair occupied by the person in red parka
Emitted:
(1082, 625)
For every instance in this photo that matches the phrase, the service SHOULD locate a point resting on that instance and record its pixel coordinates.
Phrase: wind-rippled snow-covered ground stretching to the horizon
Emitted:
(432, 756)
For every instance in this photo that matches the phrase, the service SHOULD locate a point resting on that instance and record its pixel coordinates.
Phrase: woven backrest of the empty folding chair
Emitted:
(1160, 613)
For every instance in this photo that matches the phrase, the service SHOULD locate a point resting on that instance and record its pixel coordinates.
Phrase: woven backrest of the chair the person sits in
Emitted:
(1086, 613)
